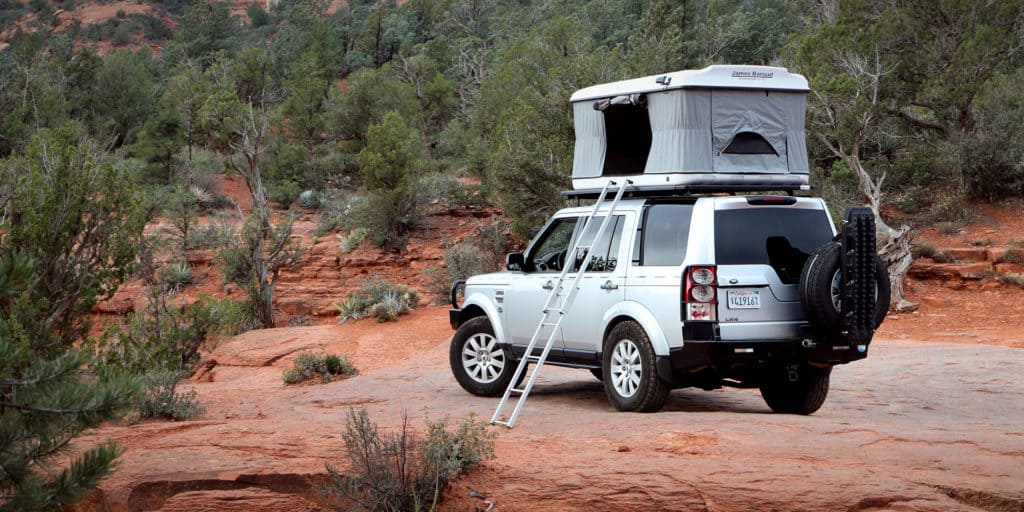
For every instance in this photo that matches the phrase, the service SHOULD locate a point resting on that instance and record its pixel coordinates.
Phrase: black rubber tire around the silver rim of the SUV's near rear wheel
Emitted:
(651, 392)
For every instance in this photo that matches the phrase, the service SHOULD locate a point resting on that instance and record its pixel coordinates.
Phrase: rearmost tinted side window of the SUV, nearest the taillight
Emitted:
(667, 229)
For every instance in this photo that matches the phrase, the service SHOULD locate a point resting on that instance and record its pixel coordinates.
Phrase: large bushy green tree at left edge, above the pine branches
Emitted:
(79, 217)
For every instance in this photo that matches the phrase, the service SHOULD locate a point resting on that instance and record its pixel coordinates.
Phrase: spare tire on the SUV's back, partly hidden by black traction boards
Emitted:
(821, 287)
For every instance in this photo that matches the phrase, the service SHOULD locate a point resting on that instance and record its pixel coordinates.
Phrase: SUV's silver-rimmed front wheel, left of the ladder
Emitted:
(481, 366)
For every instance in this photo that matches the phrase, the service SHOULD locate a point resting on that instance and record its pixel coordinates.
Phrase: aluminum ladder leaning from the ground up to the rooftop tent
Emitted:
(557, 306)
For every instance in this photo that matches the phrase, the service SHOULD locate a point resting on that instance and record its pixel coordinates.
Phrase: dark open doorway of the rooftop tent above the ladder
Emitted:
(628, 130)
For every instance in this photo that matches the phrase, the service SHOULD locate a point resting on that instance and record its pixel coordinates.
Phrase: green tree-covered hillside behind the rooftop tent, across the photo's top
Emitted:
(922, 93)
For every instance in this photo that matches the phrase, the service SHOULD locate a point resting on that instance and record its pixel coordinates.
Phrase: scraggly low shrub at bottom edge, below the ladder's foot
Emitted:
(402, 472)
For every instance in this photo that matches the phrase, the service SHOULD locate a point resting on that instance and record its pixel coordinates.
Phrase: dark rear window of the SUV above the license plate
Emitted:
(781, 237)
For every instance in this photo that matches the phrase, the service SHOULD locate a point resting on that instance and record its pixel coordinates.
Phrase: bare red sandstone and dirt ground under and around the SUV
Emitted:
(928, 422)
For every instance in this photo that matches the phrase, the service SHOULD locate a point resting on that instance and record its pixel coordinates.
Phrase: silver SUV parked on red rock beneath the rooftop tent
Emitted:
(703, 291)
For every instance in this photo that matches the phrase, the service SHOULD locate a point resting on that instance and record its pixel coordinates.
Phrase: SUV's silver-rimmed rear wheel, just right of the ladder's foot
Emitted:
(630, 377)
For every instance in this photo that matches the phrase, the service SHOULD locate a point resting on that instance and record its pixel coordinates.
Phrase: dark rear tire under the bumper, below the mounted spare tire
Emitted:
(804, 397)
